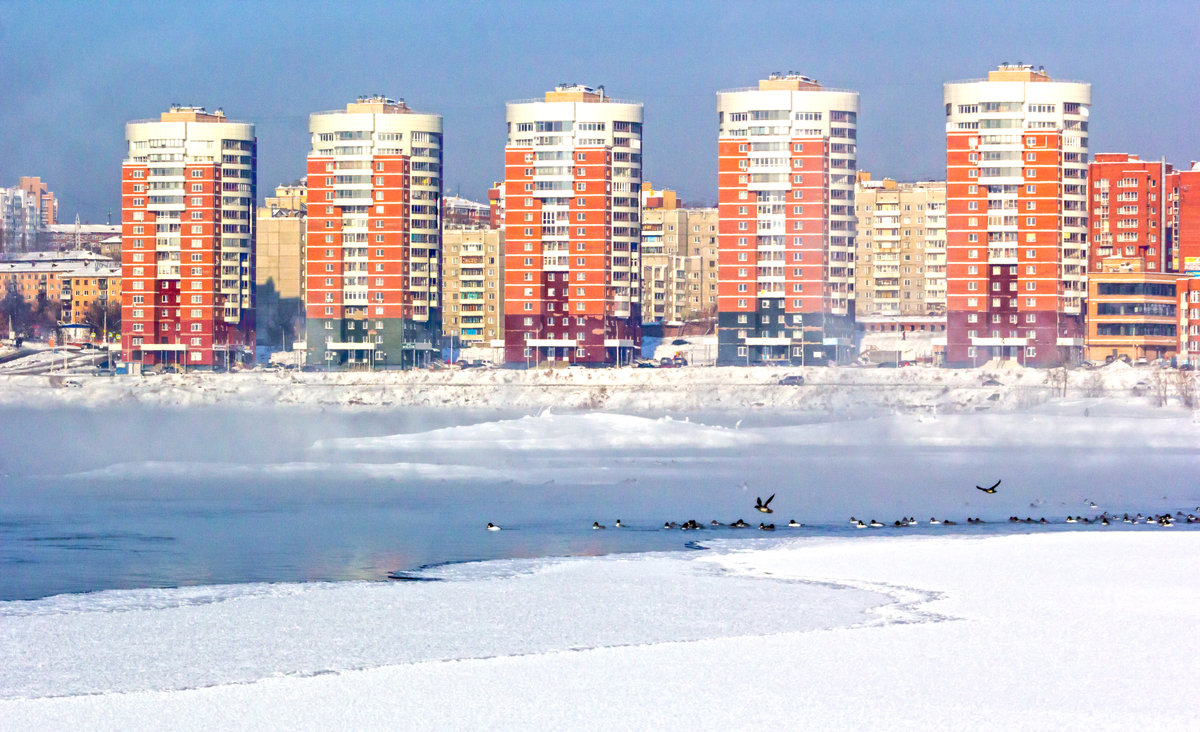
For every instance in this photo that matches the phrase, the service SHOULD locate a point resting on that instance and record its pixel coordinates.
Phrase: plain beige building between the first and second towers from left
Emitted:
(279, 265)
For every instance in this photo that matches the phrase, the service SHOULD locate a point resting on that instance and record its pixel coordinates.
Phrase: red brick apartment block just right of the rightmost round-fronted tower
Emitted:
(1130, 212)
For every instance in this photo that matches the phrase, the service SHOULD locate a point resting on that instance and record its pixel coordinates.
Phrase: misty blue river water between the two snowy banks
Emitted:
(134, 497)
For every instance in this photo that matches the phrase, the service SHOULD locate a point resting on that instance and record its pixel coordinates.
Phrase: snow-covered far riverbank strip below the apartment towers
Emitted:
(916, 388)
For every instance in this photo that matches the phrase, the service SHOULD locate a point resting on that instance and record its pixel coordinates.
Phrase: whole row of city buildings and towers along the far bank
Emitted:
(1033, 250)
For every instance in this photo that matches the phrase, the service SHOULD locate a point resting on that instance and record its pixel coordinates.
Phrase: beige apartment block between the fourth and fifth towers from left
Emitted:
(901, 254)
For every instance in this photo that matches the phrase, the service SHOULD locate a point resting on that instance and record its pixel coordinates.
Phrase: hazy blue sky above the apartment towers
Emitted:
(75, 73)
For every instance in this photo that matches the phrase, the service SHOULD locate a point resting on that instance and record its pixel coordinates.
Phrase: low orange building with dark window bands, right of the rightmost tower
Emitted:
(1132, 311)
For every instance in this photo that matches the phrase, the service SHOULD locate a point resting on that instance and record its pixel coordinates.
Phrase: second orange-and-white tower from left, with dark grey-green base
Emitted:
(374, 236)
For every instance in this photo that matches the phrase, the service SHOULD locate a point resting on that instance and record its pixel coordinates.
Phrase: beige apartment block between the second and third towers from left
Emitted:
(473, 289)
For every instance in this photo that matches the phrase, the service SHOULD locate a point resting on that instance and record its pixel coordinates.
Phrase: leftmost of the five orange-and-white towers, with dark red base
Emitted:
(188, 227)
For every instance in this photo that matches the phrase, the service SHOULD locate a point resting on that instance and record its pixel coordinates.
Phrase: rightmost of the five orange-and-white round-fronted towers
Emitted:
(1017, 218)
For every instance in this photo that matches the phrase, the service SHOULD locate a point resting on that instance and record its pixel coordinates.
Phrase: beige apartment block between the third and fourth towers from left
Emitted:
(679, 265)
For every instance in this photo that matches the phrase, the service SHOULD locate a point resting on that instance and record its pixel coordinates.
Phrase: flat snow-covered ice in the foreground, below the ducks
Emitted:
(1078, 631)
